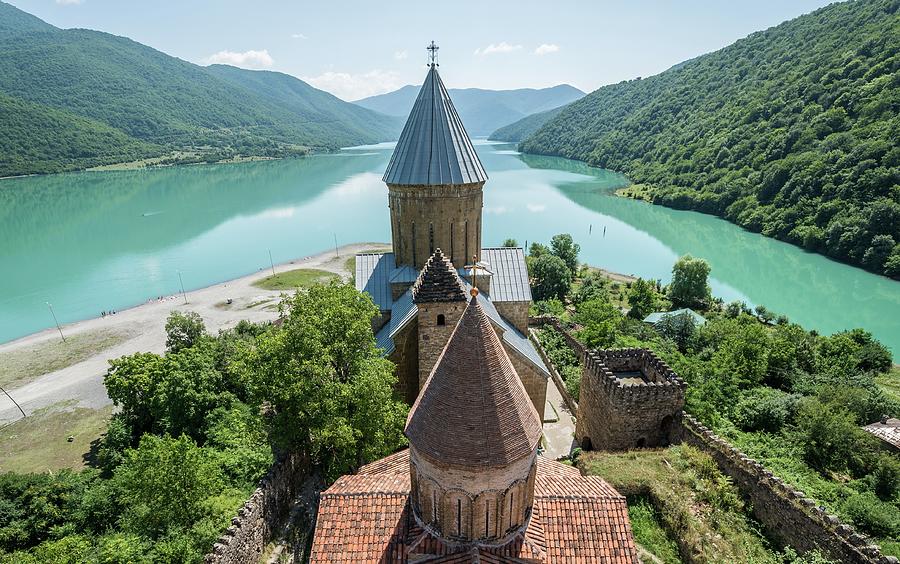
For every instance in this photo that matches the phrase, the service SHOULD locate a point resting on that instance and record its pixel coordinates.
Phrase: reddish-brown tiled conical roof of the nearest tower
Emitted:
(473, 409)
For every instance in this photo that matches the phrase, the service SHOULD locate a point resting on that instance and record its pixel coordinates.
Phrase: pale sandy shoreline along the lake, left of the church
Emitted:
(143, 325)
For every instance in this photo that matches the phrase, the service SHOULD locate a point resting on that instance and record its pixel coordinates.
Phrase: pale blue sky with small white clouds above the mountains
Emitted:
(356, 49)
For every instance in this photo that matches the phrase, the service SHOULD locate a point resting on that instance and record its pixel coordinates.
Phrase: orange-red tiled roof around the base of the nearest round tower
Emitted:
(366, 518)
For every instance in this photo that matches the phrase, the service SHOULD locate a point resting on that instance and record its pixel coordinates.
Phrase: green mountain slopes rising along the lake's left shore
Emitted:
(160, 101)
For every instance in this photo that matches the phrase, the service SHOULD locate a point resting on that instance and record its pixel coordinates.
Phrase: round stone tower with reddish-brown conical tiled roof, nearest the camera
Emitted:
(473, 437)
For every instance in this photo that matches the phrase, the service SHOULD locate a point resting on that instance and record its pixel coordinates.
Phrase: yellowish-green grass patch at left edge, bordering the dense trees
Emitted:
(39, 442)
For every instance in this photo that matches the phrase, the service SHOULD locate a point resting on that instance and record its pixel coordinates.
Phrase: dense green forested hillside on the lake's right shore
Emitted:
(791, 132)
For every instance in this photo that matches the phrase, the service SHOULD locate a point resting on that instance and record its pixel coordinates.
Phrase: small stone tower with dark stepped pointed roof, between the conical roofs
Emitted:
(439, 295)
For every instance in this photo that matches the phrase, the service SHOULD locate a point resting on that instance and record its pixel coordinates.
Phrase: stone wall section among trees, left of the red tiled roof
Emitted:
(261, 515)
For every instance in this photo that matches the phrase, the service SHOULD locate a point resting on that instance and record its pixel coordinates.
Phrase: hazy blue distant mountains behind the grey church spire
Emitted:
(482, 111)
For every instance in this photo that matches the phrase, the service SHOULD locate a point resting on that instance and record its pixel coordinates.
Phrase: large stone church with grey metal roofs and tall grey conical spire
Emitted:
(435, 187)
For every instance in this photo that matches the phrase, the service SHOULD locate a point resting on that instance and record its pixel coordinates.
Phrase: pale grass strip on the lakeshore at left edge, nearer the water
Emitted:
(22, 365)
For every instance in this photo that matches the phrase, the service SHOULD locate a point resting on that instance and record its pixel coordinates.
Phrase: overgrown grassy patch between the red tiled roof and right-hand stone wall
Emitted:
(694, 503)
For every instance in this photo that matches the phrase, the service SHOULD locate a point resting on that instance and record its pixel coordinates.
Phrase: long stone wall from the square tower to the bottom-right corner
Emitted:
(788, 515)
